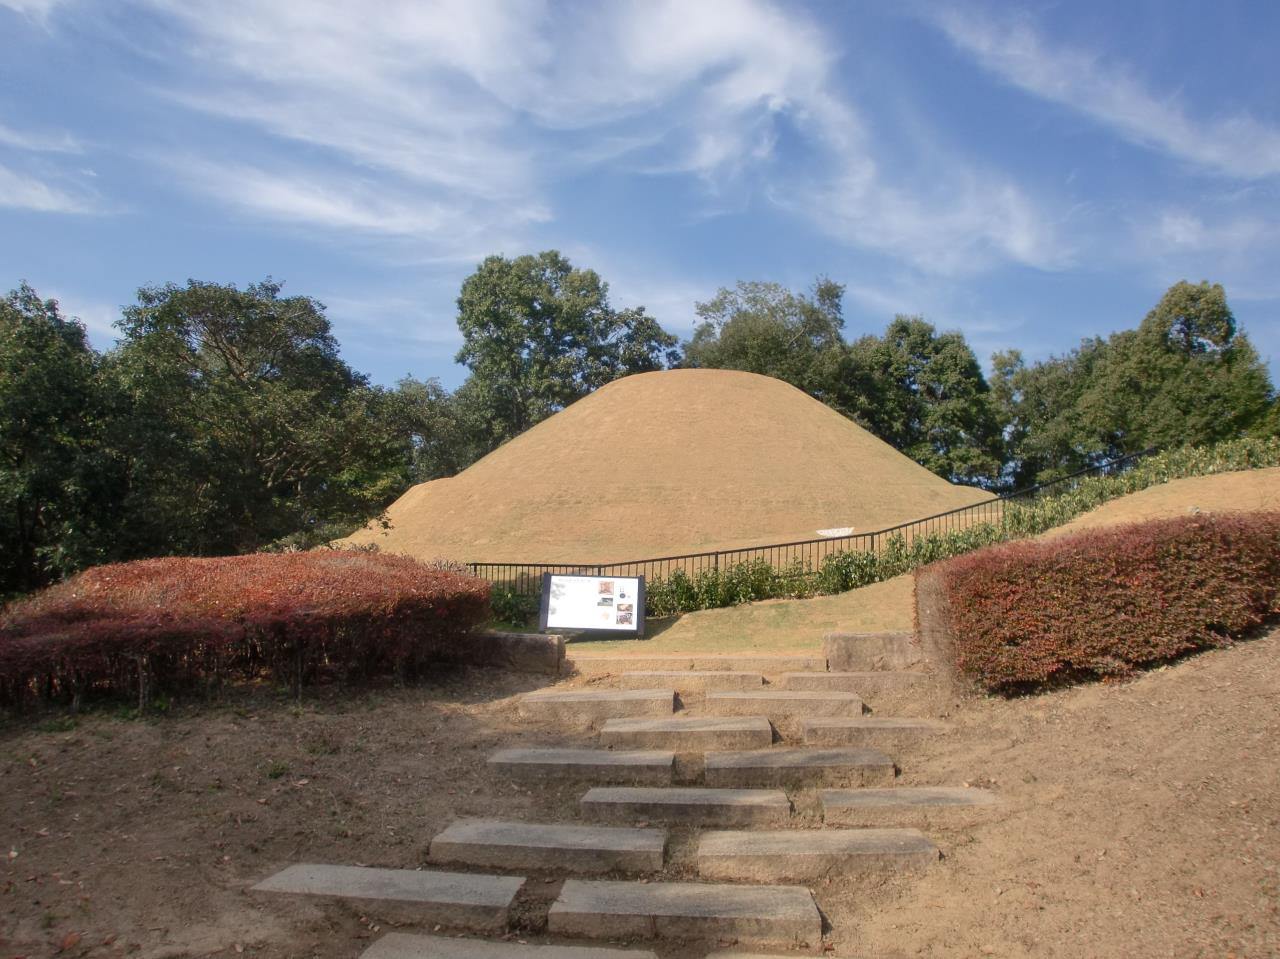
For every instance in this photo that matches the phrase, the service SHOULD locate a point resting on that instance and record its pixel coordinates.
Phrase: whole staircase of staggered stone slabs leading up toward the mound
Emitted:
(717, 791)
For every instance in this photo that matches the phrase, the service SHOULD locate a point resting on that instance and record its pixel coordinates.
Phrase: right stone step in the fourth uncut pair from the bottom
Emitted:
(798, 766)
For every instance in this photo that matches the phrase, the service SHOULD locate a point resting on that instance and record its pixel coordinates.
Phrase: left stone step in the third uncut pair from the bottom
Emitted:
(691, 806)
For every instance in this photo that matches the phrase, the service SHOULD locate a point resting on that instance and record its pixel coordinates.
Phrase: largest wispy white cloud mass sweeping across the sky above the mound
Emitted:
(454, 122)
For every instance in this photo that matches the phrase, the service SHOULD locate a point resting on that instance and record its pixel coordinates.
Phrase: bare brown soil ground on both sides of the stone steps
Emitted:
(1141, 820)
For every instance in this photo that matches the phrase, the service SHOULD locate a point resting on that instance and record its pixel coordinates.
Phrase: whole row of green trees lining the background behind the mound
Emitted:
(226, 419)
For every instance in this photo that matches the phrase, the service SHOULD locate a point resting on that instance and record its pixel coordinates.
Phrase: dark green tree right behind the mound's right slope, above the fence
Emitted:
(925, 394)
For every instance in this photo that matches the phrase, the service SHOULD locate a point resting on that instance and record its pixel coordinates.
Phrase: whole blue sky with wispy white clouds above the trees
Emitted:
(1030, 175)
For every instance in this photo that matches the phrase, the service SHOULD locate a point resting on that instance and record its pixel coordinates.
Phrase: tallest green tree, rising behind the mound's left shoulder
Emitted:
(538, 334)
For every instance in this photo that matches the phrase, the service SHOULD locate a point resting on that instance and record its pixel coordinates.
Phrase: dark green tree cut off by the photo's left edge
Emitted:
(49, 424)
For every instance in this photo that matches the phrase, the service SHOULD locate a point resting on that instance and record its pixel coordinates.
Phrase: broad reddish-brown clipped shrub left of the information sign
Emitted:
(168, 625)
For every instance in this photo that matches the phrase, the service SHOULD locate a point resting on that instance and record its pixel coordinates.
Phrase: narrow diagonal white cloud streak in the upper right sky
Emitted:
(1237, 145)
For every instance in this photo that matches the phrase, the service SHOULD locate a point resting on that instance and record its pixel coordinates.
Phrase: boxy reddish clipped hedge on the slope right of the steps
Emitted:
(1105, 602)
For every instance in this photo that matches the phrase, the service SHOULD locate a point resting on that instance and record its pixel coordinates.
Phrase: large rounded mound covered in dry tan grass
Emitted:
(662, 464)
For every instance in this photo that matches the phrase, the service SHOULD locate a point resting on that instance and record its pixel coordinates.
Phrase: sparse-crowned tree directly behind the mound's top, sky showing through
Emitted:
(767, 328)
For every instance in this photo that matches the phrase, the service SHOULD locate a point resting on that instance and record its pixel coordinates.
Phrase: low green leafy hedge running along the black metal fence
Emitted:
(756, 581)
